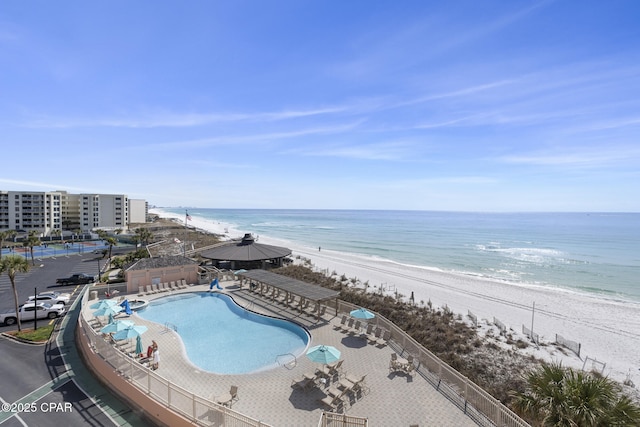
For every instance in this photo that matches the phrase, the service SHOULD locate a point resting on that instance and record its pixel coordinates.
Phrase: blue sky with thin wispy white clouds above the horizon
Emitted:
(461, 105)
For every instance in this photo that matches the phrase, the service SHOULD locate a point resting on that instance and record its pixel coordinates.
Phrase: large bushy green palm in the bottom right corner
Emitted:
(558, 396)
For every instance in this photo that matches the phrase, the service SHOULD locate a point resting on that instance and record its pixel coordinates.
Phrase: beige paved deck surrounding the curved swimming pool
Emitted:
(391, 399)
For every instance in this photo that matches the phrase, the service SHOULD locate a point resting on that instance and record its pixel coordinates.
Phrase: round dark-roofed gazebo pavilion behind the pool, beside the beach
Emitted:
(246, 254)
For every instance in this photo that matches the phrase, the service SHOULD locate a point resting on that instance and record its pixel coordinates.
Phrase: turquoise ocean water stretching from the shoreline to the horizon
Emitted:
(594, 253)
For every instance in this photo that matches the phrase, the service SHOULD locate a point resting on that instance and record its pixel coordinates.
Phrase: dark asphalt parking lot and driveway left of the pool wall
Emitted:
(47, 384)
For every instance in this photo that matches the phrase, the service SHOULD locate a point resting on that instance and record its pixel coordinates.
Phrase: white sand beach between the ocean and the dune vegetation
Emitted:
(608, 331)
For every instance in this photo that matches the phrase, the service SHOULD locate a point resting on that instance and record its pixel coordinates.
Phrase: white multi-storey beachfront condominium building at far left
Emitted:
(47, 212)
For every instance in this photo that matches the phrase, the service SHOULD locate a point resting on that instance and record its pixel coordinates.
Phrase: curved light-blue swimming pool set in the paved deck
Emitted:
(221, 337)
